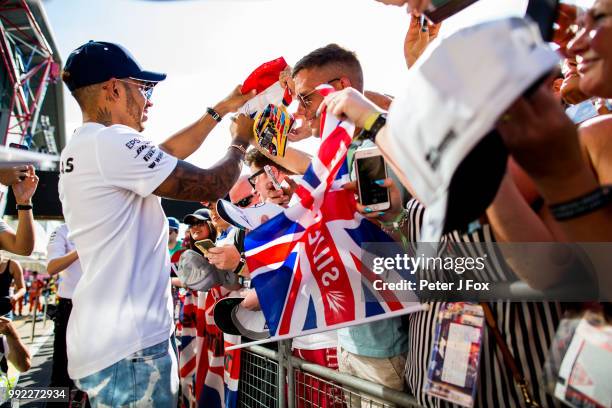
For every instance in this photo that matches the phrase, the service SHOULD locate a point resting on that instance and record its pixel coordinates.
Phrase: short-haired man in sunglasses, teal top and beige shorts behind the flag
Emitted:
(373, 351)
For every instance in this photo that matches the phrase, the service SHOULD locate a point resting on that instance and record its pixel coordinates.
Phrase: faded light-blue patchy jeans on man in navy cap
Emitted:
(147, 378)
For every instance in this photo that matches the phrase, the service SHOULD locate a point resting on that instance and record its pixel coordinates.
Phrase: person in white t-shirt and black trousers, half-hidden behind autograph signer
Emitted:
(62, 259)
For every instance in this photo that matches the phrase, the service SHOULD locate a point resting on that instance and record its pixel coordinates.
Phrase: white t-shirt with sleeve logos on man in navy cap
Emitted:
(122, 303)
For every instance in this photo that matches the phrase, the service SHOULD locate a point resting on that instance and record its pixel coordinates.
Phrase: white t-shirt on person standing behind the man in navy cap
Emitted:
(60, 245)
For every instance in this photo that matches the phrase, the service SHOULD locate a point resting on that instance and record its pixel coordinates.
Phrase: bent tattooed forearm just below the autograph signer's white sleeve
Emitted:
(190, 183)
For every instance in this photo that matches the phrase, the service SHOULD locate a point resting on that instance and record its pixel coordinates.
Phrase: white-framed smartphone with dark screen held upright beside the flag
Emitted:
(369, 167)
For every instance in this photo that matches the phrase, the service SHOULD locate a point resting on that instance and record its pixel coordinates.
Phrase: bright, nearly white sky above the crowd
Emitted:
(206, 47)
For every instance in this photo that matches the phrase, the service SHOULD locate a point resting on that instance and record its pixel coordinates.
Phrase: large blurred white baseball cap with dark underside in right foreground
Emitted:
(442, 126)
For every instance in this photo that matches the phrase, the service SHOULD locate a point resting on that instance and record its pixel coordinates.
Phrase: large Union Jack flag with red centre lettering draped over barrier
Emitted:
(306, 263)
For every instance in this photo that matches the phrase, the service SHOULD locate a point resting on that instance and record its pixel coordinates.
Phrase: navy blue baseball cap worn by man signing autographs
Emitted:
(98, 61)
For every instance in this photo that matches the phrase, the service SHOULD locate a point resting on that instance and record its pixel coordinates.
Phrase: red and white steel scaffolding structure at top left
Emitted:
(28, 60)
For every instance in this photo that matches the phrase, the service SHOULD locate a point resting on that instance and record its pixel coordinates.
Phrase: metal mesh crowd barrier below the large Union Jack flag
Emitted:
(263, 384)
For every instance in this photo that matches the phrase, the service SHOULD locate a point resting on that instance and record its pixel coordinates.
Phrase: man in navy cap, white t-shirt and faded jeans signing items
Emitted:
(118, 337)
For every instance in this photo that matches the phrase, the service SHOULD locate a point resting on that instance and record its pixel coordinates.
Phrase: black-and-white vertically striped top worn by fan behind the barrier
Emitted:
(528, 329)
